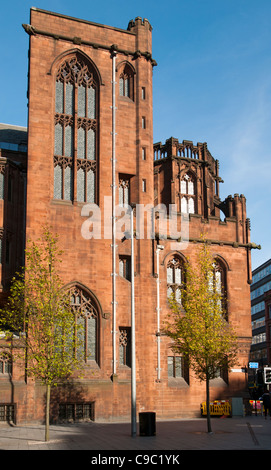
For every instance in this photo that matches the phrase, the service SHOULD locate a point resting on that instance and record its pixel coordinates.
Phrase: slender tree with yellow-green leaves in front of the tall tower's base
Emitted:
(39, 309)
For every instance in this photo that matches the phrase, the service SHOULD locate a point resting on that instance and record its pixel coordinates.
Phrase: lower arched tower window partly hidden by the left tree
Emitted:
(87, 317)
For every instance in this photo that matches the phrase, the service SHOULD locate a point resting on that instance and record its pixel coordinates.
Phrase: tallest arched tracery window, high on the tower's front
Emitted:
(76, 129)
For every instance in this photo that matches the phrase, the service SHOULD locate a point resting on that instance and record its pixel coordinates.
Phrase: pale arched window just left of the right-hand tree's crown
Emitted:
(175, 278)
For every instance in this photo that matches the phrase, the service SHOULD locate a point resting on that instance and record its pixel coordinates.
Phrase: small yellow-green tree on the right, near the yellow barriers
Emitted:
(199, 327)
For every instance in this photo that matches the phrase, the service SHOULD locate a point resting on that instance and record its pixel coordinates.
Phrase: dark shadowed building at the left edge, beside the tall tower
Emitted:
(13, 171)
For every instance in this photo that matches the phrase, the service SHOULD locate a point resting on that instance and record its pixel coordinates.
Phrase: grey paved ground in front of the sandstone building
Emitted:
(171, 438)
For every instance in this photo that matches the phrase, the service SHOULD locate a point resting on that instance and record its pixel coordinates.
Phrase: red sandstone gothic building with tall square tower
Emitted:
(90, 140)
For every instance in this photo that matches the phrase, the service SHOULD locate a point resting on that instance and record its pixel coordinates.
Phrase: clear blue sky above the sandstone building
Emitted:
(212, 83)
